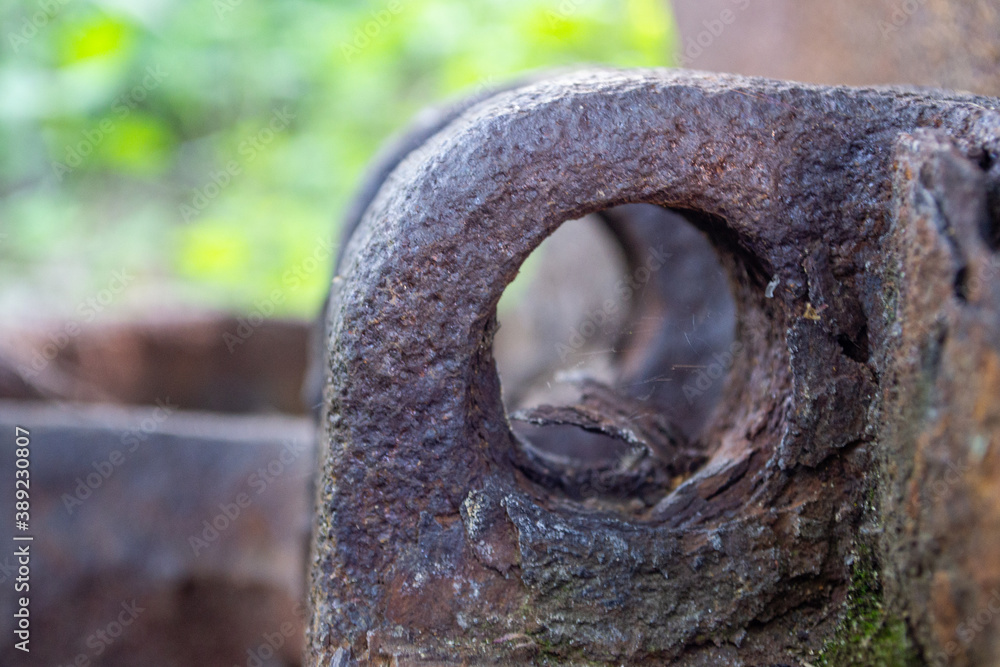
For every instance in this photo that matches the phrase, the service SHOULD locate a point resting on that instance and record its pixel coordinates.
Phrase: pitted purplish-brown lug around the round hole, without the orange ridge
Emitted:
(435, 544)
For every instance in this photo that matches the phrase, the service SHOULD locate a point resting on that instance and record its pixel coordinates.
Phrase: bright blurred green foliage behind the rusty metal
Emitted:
(148, 134)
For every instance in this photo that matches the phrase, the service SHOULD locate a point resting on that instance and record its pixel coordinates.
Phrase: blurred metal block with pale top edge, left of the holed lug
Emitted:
(159, 536)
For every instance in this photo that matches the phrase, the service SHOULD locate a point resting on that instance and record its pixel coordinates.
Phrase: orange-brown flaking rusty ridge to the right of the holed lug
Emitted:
(941, 424)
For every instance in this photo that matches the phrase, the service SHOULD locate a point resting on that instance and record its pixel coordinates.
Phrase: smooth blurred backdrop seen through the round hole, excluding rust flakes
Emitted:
(634, 299)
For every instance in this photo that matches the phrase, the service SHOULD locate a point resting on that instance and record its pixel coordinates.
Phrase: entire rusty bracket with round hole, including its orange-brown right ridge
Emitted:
(858, 228)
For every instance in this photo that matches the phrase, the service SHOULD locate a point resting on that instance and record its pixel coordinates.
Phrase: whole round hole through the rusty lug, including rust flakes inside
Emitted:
(615, 355)
